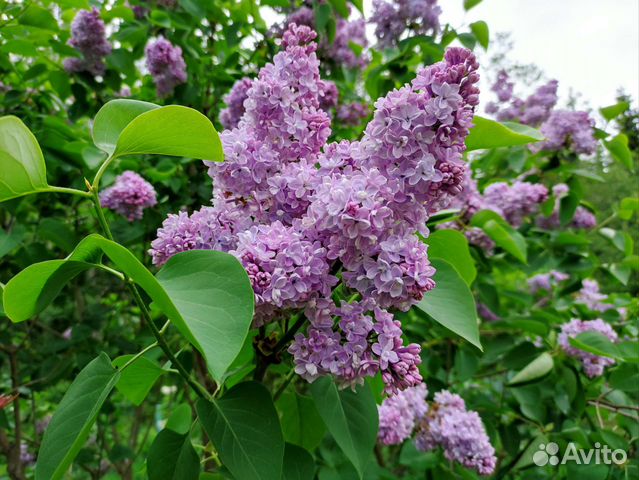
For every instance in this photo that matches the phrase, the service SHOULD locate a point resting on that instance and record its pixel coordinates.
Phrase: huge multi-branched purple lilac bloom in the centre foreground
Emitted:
(294, 209)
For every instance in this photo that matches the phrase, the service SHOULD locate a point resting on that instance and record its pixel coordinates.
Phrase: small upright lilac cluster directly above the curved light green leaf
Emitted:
(165, 63)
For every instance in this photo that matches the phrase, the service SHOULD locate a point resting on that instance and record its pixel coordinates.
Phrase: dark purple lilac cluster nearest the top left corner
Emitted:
(88, 36)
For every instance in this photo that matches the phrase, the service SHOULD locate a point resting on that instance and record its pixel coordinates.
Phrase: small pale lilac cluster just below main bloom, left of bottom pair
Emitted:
(399, 414)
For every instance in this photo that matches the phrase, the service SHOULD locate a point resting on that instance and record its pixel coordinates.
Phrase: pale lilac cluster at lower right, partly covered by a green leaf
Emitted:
(594, 365)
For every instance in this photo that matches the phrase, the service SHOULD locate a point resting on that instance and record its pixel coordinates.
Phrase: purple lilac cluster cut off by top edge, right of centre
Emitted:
(393, 18)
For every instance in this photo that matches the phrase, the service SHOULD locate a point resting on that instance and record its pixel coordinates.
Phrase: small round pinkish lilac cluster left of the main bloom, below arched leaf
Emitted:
(129, 196)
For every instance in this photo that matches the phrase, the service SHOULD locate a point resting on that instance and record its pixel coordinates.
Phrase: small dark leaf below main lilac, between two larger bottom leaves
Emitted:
(301, 422)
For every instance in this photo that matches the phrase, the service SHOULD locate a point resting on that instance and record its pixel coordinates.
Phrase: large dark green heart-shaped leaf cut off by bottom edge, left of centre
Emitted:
(245, 431)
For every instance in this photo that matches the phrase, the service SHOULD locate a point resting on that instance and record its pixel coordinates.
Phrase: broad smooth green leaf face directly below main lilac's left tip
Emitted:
(212, 293)
